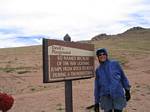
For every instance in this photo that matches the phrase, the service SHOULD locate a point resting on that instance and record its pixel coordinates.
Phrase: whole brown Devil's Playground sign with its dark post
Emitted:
(67, 61)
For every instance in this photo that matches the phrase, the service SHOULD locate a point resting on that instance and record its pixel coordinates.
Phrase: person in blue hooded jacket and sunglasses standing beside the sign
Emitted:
(112, 88)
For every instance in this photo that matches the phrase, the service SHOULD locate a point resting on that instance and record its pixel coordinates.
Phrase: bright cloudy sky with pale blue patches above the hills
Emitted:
(26, 22)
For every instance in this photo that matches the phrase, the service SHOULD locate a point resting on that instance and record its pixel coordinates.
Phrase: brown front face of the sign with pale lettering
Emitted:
(69, 60)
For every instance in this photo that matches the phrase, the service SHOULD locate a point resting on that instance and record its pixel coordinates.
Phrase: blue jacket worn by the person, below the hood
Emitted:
(110, 80)
